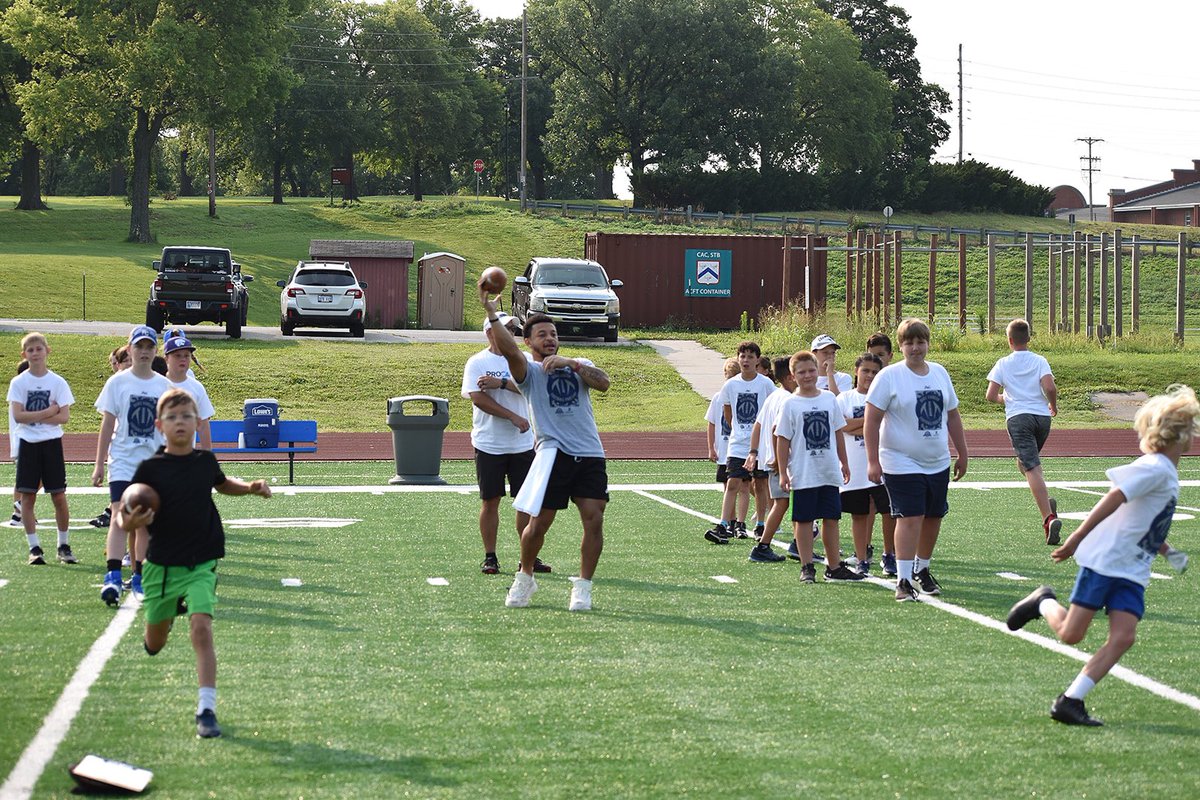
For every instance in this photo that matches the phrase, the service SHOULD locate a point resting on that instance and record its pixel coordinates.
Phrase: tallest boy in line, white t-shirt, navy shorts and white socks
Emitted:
(913, 416)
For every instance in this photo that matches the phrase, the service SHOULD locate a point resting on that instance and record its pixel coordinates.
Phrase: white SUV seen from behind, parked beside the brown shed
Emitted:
(323, 294)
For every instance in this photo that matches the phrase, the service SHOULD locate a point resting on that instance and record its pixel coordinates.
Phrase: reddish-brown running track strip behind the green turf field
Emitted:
(656, 447)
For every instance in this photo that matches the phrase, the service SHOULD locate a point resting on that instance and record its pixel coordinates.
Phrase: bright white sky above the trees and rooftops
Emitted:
(1039, 75)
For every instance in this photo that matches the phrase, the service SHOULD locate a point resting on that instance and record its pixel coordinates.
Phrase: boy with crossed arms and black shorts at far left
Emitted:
(40, 402)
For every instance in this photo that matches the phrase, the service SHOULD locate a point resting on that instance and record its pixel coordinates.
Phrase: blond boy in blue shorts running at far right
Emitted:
(1115, 548)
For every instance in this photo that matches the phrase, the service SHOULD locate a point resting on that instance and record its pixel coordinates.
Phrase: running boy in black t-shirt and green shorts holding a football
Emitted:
(187, 540)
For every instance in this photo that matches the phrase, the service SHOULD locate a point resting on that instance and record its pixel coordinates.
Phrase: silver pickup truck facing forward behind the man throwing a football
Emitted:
(575, 293)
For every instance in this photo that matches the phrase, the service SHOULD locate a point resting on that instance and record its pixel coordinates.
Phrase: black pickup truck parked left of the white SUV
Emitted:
(199, 285)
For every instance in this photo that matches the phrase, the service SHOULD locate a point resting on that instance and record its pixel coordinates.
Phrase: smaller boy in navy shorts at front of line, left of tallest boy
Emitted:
(812, 460)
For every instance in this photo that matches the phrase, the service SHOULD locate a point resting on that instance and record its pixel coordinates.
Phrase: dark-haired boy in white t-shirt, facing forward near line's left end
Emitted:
(741, 399)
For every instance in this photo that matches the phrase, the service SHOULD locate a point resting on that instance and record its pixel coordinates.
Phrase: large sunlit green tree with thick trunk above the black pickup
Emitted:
(149, 63)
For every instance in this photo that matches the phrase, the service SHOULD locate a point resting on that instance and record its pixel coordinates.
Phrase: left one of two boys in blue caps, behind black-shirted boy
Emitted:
(128, 436)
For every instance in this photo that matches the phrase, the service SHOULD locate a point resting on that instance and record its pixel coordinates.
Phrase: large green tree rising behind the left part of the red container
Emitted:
(645, 80)
